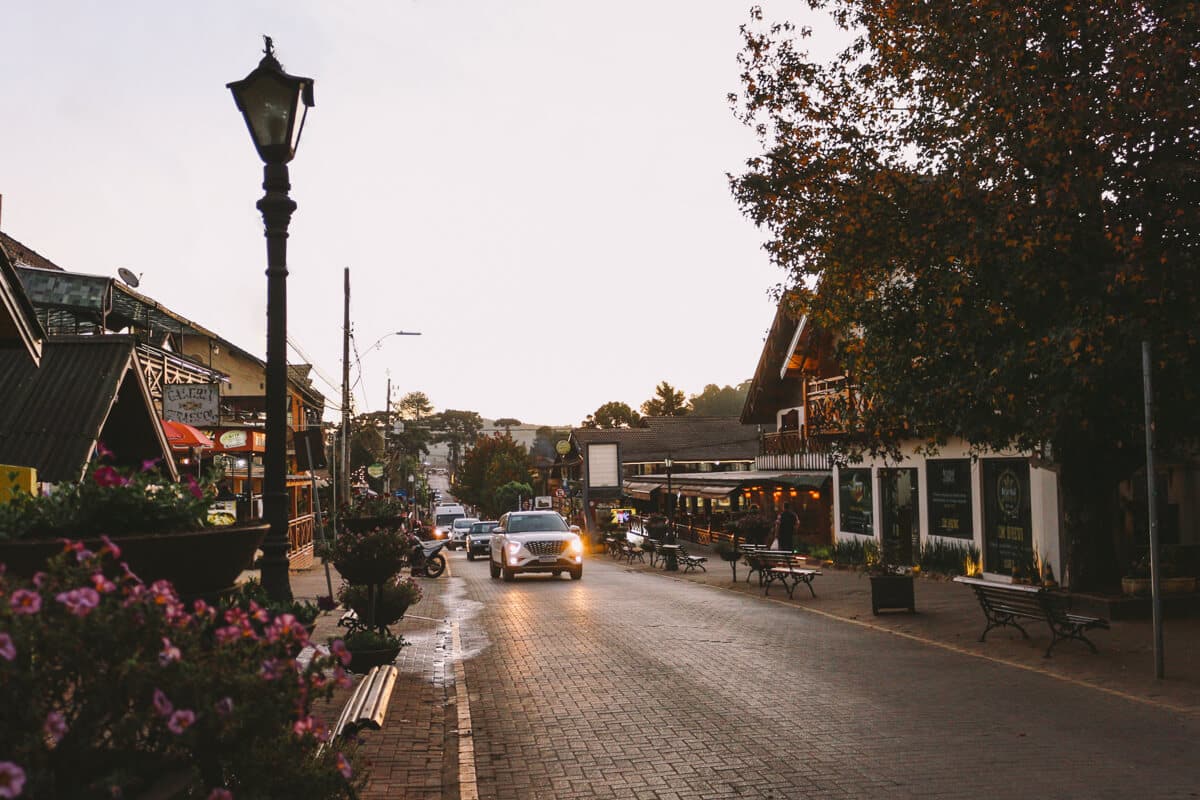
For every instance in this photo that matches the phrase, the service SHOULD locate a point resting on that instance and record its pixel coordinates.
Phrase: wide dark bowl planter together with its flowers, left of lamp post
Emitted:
(161, 527)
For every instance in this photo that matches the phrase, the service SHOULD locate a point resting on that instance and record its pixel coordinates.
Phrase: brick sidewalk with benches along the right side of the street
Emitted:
(949, 616)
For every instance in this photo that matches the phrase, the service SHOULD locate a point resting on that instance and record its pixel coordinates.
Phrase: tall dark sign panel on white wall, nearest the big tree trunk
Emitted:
(1007, 520)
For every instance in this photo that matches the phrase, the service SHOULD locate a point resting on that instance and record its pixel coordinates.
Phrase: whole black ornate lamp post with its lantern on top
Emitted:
(275, 105)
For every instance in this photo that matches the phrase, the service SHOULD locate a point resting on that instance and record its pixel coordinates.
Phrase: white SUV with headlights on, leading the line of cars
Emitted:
(536, 542)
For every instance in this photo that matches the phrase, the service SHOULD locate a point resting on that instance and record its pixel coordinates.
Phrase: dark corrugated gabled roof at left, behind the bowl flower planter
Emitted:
(53, 416)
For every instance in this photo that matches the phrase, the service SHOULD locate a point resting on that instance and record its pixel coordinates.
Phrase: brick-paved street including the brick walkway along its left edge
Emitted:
(634, 685)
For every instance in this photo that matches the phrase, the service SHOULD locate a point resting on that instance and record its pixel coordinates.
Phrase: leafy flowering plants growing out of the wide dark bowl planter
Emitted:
(112, 501)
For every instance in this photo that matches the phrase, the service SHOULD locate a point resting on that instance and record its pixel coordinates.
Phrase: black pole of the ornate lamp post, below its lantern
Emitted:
(277, 208)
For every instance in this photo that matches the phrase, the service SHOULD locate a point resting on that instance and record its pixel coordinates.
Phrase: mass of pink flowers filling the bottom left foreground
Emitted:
(111, 687)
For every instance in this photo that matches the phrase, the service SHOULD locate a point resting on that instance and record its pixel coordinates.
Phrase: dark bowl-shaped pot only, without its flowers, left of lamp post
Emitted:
(199, 563)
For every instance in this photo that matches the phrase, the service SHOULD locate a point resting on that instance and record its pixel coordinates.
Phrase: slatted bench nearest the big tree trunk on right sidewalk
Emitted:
(1005, 604)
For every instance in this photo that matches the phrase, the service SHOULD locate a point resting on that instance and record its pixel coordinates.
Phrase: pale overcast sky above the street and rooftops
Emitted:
(538, 188)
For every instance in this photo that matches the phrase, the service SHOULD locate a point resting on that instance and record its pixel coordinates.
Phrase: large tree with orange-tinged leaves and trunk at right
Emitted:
(993, 204)
